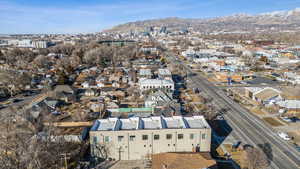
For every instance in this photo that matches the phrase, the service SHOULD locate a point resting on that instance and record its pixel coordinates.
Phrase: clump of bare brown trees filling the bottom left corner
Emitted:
(23, 146)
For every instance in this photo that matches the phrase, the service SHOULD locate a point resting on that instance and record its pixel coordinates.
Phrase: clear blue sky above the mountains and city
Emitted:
(82, 16)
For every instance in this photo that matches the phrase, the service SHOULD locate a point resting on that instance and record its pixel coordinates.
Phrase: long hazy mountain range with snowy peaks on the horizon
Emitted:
(276, 21)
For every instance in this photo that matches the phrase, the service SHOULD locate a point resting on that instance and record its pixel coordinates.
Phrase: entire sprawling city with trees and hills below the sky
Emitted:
(174, 93)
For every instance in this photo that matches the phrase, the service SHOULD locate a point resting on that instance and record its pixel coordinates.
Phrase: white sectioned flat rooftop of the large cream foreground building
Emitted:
(155, 122)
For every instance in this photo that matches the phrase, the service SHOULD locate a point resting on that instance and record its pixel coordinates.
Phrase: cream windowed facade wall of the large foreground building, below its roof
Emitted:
(133, 148)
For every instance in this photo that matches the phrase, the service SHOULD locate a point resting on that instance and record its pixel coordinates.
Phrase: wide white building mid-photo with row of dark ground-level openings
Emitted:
(146, 84)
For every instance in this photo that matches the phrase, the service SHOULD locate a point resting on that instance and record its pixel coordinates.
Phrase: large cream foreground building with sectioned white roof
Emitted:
(137, 138)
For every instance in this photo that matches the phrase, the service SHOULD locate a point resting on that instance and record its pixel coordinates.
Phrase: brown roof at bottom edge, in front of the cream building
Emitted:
(182, 161)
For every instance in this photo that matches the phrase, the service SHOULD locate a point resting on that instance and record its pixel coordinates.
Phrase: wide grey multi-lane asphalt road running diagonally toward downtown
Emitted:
(247, 127)
